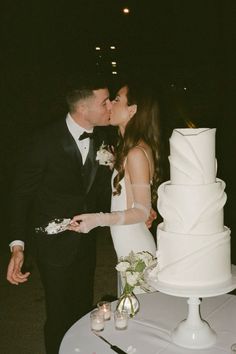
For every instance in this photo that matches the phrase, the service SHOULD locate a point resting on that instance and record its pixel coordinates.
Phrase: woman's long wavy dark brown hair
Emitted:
(143, 126)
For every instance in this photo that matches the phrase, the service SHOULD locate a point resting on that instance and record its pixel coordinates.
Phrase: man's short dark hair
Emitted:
(82, 87)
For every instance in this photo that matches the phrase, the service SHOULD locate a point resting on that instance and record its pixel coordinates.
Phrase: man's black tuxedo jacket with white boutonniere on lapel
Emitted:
(51, 181)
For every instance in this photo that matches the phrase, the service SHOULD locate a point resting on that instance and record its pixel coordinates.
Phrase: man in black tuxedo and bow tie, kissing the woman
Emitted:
(58, 177)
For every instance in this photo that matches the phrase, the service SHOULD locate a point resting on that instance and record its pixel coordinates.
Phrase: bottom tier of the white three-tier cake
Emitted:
(193, 260)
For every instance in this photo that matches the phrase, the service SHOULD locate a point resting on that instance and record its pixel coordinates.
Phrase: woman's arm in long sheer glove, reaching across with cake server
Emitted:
(138, 169)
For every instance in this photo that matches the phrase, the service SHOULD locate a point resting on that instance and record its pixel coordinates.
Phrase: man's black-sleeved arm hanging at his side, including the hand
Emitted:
(28, 174)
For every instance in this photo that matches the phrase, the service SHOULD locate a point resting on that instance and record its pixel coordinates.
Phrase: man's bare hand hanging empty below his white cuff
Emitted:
(14, 274)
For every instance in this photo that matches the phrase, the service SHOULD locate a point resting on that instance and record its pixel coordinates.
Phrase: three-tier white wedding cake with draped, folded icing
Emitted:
(193, 243)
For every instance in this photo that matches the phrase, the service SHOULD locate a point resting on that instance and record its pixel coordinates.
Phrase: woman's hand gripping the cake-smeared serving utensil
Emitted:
(84, 223)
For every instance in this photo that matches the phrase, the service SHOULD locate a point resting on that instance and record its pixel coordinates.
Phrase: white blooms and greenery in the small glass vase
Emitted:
(132, 268)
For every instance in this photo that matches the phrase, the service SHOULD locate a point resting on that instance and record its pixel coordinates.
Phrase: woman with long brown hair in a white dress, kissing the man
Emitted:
(136, 173)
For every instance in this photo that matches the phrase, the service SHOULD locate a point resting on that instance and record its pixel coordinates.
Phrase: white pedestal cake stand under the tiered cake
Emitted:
(194, 332)
